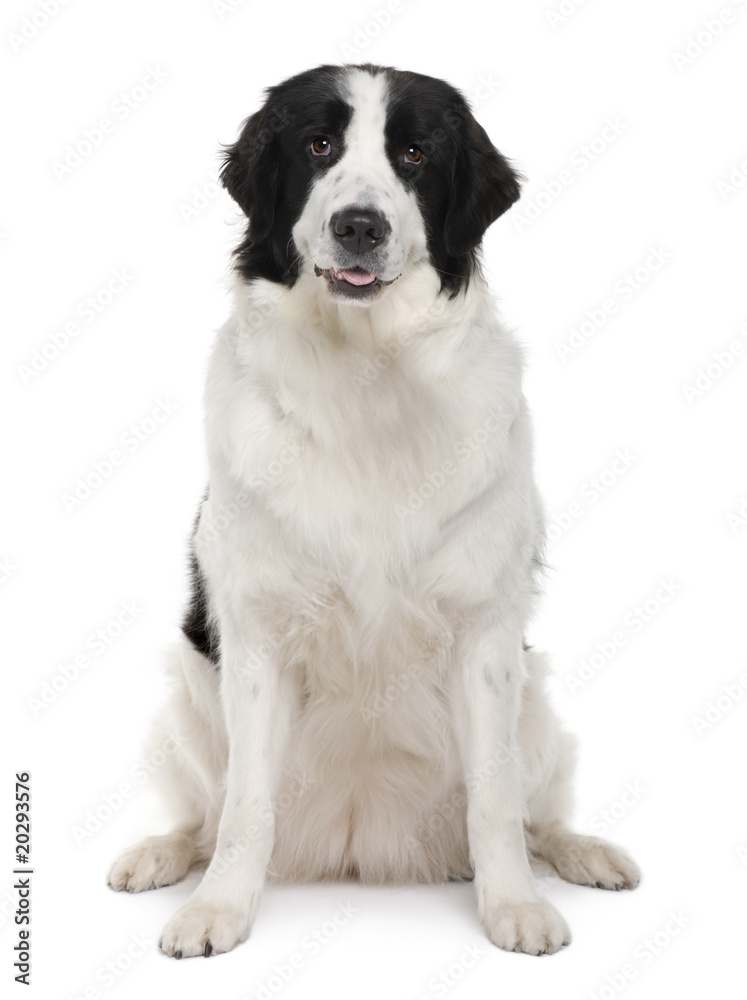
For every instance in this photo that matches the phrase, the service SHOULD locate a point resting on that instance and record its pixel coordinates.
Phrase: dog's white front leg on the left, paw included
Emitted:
(258, 700)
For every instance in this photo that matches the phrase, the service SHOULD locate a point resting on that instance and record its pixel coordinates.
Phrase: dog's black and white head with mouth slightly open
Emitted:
(357, 173)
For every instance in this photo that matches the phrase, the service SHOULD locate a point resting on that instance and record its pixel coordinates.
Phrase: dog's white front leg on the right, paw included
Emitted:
(513, 913)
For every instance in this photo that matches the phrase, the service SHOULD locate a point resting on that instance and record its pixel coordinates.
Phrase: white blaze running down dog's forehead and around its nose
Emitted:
(363, 178)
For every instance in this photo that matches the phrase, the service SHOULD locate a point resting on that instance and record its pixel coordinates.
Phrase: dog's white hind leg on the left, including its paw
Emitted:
(190, 744)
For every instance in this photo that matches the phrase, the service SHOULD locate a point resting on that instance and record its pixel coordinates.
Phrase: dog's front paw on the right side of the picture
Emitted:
(535, 927)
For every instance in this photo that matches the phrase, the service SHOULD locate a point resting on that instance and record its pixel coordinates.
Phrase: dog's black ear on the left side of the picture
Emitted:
(250, 170)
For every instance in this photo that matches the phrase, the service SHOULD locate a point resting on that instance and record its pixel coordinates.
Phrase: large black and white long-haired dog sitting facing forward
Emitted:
(353, 696)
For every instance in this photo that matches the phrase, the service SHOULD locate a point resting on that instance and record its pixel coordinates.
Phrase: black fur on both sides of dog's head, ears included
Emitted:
(462, 185)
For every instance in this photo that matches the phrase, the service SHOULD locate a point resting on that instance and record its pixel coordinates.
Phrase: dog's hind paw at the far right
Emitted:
(595, 862)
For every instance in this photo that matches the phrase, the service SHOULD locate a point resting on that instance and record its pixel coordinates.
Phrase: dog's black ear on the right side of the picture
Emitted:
(484, 186)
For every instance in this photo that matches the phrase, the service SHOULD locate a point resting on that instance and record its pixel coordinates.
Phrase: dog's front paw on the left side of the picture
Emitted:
(199, 928)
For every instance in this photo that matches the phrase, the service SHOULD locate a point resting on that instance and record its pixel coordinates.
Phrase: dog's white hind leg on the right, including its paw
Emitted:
(549, 755)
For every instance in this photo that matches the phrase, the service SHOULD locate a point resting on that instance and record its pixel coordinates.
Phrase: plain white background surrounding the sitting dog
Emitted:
(544, 87)
